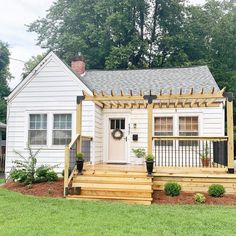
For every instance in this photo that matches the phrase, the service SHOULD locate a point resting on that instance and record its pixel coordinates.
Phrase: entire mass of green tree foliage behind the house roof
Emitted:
(128, 34)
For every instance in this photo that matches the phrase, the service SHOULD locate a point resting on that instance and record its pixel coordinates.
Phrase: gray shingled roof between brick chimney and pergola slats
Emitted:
(155, 79)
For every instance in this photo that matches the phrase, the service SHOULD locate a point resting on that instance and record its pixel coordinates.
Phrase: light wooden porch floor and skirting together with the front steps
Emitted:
(129, 183)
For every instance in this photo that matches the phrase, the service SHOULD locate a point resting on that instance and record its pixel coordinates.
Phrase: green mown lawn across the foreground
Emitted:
(25, 215)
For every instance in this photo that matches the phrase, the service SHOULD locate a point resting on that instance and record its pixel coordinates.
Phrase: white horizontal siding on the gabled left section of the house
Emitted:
(52, 90)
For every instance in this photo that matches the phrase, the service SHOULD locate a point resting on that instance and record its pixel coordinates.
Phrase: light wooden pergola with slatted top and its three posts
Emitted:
(163, 99)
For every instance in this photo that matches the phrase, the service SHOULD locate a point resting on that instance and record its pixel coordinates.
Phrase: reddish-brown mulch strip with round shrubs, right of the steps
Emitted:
(159, 197)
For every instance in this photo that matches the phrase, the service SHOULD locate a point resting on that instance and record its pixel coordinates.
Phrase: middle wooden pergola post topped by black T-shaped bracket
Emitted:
(150, 99)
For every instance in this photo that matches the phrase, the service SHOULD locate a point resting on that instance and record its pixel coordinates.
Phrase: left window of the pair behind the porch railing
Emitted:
(164, 127)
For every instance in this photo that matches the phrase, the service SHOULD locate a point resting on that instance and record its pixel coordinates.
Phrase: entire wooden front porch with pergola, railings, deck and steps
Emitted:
(177, 158)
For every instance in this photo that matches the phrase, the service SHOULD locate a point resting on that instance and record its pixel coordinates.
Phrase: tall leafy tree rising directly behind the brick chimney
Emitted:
(114, 34)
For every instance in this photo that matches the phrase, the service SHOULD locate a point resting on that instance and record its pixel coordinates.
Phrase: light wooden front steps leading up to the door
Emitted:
(113, 184)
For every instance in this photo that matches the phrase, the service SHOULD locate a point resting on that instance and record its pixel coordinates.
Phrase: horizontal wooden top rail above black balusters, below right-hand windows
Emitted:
(217, 138)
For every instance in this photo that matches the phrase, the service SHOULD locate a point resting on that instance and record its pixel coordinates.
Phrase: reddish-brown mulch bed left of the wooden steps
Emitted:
(47, 189)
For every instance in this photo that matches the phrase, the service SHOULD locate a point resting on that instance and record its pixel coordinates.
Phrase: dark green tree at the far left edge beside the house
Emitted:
(4, 77)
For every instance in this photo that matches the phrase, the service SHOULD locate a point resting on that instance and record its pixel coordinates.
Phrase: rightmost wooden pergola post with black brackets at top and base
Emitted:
(230, 131)
